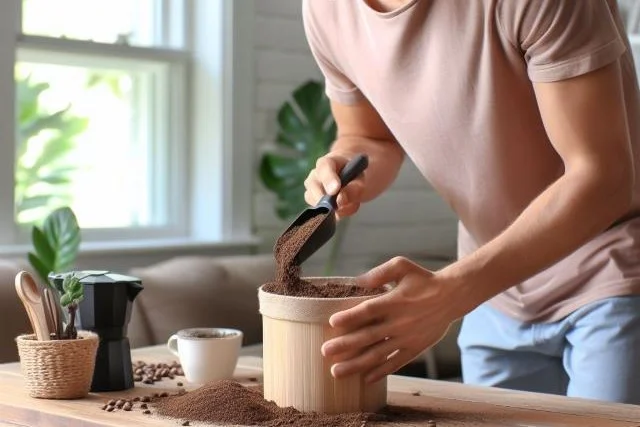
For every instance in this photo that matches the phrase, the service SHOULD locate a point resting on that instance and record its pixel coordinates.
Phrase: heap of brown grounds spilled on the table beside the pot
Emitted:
(230, 402)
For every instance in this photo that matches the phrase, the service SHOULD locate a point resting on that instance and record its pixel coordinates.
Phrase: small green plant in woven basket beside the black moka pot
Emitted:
(61, 367)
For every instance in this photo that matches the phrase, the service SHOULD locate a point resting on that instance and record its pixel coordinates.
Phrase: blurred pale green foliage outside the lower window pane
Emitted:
(44, 142)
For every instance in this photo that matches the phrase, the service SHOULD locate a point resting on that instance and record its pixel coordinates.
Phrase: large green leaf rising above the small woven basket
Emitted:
(56, 244)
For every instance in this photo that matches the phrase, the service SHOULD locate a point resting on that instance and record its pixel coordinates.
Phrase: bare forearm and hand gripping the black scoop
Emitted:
(360, 130)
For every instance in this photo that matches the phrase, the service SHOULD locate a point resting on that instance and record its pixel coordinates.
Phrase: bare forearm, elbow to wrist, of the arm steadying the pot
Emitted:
(565, 216)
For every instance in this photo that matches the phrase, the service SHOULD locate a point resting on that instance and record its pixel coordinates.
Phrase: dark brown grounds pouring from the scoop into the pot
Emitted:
(288, 281)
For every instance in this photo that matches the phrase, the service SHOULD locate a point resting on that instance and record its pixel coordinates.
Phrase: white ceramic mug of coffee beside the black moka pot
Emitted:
(206, 354)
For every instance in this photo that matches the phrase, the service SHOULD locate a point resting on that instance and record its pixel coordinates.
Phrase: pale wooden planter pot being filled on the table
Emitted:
(295, 372)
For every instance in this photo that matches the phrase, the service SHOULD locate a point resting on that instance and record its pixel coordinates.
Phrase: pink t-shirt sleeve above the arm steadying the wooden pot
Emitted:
(560, 39)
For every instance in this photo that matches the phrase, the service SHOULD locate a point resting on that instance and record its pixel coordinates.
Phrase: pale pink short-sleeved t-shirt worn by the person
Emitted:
(452, 79)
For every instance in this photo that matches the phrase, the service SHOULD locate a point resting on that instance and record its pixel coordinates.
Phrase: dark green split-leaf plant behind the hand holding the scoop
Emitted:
(306, 130)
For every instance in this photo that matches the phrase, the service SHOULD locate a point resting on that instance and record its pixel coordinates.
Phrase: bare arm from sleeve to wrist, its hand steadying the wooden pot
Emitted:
(585, 120)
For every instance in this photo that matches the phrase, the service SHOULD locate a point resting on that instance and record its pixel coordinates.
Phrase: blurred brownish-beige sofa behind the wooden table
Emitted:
(190, 291)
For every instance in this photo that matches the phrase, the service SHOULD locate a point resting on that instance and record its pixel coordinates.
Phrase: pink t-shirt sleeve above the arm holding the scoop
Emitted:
(338, 86)
